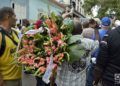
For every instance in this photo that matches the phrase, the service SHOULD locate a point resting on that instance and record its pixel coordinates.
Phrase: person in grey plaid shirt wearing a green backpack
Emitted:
(73, 72)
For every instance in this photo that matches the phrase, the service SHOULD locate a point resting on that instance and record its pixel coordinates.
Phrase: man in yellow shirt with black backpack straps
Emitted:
(10, 73)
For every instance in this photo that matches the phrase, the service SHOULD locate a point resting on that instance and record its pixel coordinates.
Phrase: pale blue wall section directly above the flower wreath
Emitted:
(37, 6)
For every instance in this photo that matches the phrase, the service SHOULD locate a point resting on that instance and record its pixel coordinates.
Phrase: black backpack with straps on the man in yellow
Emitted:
(3, 41)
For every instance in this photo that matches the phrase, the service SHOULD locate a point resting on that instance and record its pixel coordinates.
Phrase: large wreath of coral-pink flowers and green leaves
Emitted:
(49, 40)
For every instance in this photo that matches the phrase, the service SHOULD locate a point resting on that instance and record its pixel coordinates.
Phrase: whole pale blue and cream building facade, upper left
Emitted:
(31, 9)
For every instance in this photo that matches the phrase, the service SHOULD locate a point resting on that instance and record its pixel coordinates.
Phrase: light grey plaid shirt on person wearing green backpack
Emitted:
(65, 77)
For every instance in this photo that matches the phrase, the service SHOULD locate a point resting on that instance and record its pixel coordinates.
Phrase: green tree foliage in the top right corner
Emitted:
(105, 6)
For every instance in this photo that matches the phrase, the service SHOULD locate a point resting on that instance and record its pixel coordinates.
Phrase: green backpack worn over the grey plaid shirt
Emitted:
(76, 48)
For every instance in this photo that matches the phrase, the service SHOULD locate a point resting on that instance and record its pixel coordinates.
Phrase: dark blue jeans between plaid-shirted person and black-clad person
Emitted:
(90, 77)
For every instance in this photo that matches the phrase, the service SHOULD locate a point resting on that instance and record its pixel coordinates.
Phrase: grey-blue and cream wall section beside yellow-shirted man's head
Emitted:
(19, 6)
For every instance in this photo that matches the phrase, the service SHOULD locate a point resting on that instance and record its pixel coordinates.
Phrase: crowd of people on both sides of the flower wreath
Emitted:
(100, 38)
